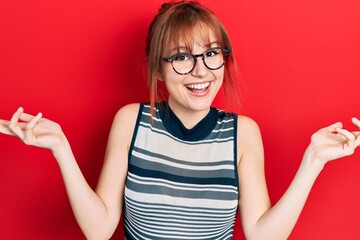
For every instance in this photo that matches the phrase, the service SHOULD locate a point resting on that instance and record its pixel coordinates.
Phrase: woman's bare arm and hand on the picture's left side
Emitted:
(97, 213)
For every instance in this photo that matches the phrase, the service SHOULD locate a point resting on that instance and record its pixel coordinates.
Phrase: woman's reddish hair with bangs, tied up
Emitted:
(188, 22)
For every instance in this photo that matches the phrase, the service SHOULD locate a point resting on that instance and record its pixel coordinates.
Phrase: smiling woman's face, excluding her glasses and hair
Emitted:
(195, 91)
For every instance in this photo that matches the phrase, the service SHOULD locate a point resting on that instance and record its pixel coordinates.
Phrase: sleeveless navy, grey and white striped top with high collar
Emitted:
(181, 183)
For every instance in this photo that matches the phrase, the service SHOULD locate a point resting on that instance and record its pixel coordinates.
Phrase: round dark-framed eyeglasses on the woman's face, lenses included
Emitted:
(184, 63)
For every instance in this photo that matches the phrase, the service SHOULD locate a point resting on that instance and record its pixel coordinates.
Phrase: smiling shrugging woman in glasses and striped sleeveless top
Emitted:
(180, 169)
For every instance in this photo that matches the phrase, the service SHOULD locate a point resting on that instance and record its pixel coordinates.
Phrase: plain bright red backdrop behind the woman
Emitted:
(78, 62)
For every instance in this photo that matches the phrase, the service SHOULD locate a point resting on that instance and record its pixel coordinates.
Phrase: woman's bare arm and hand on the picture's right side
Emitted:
(260, 220)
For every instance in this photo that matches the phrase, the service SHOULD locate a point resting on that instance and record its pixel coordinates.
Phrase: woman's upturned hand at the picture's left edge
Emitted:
(34, 130)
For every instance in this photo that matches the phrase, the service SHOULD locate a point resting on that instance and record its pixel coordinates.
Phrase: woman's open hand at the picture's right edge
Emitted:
(334, 142)
